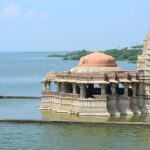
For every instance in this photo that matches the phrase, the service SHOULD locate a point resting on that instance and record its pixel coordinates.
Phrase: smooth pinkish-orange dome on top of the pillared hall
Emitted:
(97, 59)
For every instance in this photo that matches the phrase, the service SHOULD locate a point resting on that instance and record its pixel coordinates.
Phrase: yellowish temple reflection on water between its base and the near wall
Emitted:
(54, 116)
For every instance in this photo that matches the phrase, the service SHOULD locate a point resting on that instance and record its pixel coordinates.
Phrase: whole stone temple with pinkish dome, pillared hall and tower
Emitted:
(97, 86)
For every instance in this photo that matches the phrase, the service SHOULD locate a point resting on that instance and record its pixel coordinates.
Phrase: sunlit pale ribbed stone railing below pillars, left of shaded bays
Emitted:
(71, 102)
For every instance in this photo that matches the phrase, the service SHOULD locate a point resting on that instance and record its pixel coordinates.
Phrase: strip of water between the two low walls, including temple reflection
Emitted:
(28, 109)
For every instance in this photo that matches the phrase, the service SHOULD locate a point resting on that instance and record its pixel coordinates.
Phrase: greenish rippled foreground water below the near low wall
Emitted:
(73, 137)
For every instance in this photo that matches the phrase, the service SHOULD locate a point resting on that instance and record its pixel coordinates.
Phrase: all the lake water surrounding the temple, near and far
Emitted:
(21, 74)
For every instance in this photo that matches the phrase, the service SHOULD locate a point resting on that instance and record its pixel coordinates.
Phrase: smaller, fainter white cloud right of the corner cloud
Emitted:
(33, 14)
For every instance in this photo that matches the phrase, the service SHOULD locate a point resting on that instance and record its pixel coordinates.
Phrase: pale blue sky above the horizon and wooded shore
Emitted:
(68, 25)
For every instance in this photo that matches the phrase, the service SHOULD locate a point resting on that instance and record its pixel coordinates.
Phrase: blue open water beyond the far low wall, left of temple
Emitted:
(21, 73)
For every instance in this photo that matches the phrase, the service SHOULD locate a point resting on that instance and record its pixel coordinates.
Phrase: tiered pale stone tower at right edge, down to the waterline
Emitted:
(144, 77)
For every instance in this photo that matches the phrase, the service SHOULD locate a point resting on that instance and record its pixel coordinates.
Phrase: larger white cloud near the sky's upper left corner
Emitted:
(10, 11)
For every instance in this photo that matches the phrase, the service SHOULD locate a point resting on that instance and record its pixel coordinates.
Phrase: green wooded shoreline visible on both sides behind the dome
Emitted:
(129, 54)
